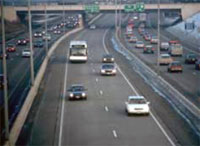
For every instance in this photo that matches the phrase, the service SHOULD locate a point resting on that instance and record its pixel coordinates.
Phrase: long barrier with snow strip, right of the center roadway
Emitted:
(185, 108)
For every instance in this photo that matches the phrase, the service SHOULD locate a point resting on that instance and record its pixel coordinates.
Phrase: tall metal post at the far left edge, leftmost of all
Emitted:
(5, 87)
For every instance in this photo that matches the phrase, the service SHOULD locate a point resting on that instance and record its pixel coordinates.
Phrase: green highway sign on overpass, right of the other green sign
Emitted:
(138, 7)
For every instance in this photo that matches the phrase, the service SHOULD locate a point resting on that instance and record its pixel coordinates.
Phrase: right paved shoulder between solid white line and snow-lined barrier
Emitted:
(159, 106)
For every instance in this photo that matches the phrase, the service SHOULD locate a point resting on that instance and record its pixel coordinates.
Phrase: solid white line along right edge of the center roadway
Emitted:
(134, 90)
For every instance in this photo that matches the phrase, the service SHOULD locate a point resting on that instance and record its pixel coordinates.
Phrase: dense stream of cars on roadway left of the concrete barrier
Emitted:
(39, 38)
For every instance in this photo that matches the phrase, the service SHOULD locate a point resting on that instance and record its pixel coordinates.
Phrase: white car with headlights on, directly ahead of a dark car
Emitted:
(108, 69)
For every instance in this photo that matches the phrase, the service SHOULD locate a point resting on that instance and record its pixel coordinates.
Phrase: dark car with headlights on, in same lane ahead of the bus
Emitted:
(77, 92)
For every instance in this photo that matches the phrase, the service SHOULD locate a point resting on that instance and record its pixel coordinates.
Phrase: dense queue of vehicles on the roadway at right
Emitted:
(169, 50)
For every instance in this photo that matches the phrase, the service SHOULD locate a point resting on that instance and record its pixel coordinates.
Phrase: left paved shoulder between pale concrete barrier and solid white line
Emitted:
(50, 97)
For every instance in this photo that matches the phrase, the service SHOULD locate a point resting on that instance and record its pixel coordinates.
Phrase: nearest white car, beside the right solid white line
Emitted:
(137, 105)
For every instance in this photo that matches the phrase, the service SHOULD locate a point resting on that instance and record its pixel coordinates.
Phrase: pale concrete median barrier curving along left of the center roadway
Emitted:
(19, 122)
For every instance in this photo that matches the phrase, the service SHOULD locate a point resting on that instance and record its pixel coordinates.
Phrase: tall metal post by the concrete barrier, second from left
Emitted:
(31, 44)
